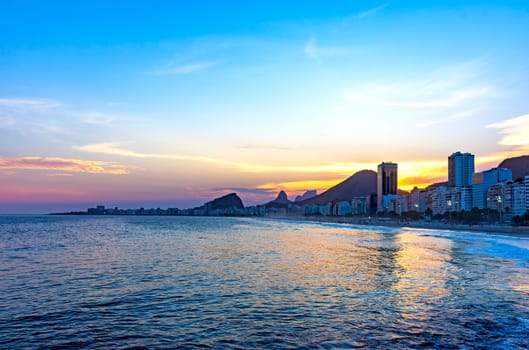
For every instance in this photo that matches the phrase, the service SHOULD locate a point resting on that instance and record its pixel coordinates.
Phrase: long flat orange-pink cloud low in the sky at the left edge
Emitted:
(63, 164)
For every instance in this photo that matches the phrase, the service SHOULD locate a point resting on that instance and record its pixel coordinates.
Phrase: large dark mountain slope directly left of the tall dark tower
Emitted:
(362, 183)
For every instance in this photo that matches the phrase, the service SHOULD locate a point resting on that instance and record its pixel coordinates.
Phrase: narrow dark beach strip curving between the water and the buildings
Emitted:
(513, 231)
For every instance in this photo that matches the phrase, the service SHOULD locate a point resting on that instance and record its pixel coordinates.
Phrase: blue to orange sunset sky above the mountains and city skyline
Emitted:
(173, 103)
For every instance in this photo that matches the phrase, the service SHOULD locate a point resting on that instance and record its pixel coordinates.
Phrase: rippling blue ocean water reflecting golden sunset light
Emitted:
(204, 282)
